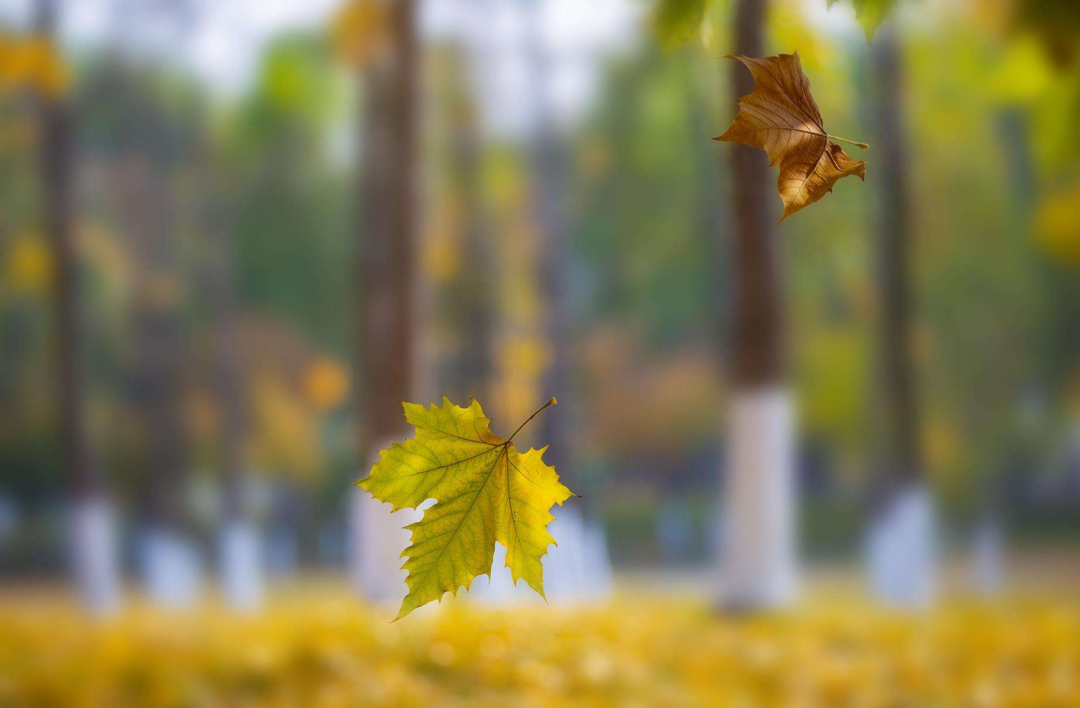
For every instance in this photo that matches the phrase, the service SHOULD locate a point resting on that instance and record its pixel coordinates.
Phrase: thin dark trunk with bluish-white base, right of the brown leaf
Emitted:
(901, 543)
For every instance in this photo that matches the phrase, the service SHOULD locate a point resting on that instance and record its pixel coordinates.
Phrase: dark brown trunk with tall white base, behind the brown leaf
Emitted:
(759, 529)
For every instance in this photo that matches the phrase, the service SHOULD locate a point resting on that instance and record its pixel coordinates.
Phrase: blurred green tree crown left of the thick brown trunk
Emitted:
(294, 246)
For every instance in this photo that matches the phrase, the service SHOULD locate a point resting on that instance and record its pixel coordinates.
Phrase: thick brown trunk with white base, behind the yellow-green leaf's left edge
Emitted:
(388, 185)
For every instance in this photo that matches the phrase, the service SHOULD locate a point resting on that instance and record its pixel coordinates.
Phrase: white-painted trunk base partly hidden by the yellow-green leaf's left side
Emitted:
(377, 538)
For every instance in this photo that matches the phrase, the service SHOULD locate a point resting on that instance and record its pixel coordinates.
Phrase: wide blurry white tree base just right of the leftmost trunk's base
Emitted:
(172, 569)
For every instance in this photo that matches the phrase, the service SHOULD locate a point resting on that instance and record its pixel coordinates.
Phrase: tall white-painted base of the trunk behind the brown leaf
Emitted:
(758, 526)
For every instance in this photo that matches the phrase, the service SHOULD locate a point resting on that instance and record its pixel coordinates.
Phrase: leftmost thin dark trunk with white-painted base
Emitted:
(93, 543)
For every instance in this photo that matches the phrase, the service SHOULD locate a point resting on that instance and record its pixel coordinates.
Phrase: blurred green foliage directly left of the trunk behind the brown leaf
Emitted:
(650, 205)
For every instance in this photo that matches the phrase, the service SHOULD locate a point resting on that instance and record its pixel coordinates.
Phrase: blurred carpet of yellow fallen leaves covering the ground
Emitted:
(321, 650)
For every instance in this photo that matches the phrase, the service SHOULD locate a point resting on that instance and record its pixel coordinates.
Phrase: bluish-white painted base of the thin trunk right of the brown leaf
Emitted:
(901, 550)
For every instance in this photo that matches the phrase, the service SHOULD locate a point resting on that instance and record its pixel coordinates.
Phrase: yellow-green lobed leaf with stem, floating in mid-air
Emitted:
(485, 492)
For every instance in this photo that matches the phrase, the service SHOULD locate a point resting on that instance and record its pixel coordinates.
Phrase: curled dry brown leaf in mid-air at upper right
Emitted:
(782, 118)
